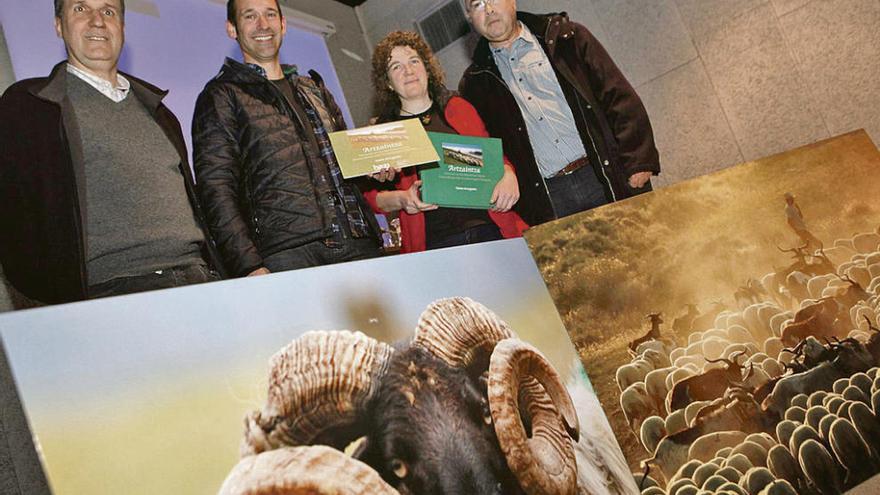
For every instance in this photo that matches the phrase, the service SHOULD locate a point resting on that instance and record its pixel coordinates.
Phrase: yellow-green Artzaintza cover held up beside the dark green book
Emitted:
(370, 149)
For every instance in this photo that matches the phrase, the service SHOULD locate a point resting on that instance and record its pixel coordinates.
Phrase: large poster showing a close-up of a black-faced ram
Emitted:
(440, 372)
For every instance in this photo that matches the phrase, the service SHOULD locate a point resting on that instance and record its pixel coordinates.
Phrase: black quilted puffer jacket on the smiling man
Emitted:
(251, 157)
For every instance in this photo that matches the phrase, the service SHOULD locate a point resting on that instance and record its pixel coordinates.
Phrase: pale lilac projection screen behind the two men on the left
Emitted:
(175, 44)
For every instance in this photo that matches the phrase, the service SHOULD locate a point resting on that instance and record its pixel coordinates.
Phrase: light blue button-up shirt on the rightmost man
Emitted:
(527, 71)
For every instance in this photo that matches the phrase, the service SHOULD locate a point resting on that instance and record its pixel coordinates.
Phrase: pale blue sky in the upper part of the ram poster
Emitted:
(97, 348)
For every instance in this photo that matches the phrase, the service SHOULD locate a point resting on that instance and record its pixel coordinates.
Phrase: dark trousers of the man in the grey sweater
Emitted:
(163, 279)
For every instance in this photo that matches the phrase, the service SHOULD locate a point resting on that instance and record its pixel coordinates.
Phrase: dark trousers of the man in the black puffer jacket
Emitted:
(322, 252)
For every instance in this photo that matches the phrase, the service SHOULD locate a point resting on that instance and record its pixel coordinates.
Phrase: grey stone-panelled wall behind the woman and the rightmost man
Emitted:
(724, 81)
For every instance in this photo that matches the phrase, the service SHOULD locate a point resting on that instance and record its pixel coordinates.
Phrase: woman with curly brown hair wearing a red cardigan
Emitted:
(409, 84)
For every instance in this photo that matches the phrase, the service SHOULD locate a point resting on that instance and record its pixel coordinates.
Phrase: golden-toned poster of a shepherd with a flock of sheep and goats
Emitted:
(729, 323)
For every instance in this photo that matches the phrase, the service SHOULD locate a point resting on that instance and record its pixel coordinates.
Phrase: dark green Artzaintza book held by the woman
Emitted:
(466, 174)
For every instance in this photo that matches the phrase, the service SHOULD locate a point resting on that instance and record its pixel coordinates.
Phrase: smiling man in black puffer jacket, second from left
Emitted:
(267, 176)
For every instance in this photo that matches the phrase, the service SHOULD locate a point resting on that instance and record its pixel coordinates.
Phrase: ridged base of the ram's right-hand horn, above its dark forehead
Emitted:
(457, 329)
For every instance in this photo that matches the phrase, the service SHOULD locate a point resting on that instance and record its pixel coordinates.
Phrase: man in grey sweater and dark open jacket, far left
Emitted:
(93, 167)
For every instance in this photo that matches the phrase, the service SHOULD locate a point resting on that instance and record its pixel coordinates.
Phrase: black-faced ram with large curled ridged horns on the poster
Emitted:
(464, 407)
